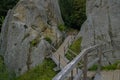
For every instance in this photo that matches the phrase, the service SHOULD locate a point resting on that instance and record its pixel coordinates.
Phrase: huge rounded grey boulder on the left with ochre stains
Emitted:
(25, 27)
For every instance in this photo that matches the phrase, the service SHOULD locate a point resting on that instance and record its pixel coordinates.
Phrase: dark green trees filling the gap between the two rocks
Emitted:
(73, 12)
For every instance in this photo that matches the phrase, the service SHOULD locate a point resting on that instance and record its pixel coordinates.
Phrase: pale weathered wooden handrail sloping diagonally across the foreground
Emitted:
(69, 67)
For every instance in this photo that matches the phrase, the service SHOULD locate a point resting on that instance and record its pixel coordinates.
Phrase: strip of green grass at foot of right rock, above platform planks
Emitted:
(114, 66)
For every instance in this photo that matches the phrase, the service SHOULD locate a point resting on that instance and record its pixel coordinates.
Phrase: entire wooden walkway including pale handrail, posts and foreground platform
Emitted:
(70, 70)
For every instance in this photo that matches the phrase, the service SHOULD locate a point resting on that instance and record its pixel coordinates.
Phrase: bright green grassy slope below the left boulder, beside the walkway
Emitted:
(42, 72)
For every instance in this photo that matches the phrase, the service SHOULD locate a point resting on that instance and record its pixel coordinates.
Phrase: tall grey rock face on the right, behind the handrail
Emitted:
(103, 26)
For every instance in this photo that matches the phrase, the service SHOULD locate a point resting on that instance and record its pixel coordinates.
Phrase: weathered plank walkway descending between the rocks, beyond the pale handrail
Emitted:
(59, 55)
